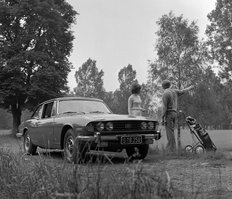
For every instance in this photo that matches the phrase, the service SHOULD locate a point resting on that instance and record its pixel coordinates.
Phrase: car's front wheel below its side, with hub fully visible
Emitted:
(74, 150)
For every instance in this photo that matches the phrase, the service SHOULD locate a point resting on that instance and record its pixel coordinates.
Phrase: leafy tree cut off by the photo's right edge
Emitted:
(219, 34)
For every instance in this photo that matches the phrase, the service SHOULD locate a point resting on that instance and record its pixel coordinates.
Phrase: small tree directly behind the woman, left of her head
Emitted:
(126, 77)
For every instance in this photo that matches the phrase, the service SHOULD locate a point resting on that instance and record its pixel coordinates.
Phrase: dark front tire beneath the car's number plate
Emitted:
(139, 152)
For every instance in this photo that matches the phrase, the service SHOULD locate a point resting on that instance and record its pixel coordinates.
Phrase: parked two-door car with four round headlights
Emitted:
(77, 125)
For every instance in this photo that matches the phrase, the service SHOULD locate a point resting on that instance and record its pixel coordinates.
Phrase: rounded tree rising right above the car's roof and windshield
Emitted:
(89, 80)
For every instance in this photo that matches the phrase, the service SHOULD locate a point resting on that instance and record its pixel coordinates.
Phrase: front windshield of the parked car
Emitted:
(82, 106)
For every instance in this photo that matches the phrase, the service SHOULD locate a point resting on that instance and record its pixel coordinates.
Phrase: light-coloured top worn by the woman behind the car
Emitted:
(134, 105)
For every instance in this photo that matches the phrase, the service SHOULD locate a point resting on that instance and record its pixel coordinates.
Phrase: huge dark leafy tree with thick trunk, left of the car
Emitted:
(36, 41)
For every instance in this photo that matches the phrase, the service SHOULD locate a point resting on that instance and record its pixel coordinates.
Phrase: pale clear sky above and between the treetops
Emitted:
(116, 33)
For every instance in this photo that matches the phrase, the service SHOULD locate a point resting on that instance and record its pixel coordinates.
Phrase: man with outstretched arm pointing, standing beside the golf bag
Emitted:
(169, 114)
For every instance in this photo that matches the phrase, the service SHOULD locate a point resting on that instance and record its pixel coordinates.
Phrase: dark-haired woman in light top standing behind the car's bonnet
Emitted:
(134, 101)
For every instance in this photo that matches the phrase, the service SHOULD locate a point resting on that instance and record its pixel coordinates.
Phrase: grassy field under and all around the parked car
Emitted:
(46, 175)
